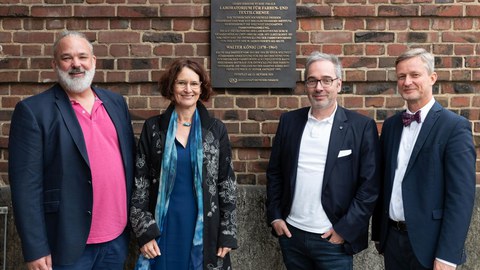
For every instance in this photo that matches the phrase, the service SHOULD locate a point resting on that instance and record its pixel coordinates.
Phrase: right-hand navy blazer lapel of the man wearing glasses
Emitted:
(337, 137)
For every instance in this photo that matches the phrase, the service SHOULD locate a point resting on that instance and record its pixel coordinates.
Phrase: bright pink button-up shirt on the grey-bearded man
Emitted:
(109, 214)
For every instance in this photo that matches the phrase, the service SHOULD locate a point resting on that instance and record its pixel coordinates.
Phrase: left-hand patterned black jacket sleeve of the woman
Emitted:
(142, 220)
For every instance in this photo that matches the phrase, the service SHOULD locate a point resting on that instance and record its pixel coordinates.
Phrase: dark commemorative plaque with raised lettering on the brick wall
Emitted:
(253, 43)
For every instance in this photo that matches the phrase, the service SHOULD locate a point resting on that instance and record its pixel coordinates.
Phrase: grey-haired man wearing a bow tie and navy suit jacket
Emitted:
(423, 214)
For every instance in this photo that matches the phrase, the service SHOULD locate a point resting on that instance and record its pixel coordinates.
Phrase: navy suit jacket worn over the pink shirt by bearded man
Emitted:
(50, 176)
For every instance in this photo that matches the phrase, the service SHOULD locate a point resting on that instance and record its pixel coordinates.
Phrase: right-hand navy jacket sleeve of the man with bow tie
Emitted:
(459, 173)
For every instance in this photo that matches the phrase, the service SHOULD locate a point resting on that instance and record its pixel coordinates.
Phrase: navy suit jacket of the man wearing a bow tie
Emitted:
(438, 187)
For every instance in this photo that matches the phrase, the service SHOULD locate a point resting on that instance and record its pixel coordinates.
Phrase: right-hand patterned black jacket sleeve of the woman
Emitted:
(227, 192)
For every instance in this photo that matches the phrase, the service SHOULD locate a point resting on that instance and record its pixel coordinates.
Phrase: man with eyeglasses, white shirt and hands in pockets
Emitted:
(323, 175)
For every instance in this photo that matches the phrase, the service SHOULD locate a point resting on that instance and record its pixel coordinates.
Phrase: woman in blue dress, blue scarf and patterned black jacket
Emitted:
(183, 209)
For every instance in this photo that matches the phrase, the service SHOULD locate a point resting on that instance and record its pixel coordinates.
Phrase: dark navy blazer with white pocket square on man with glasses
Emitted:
(350, 184)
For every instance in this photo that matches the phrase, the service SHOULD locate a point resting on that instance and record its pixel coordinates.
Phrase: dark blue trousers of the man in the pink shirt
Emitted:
(110, 255)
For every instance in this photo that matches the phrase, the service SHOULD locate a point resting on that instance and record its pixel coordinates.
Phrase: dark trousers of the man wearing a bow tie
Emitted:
(398, 253)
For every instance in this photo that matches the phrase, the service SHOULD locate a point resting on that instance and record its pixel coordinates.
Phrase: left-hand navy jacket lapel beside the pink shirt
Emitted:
(70, 120)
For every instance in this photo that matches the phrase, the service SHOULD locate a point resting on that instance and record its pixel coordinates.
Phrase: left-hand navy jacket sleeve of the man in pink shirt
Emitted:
(25, 163)
